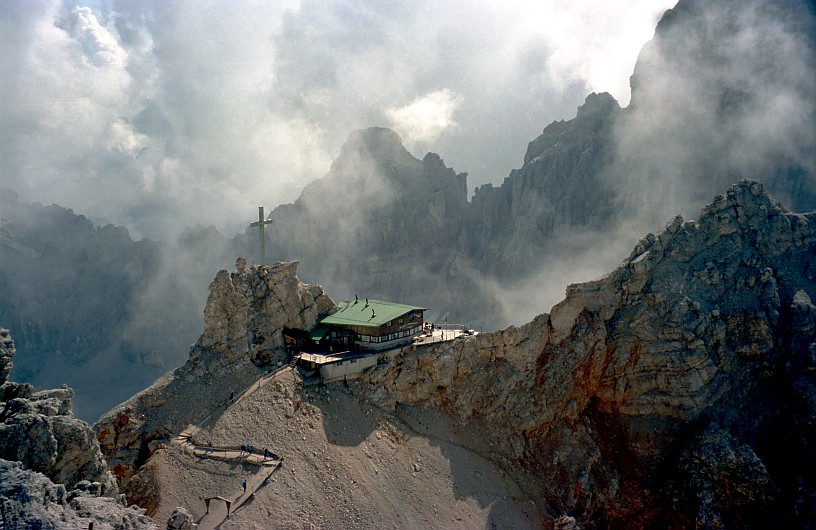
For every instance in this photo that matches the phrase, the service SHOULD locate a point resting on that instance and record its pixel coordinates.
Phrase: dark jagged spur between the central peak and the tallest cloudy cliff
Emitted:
(558, 190)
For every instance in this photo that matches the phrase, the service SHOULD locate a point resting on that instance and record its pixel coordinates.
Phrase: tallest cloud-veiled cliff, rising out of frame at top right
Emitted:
(705, 108)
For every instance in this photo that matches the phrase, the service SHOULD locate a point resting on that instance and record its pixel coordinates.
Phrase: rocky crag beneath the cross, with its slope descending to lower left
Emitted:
(245, 315)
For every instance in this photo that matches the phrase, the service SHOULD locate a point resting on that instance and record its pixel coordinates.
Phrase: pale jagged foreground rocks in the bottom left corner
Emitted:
(52, 473)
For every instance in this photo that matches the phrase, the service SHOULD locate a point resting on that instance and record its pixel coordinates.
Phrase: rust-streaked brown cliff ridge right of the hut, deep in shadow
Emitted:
(677, 390)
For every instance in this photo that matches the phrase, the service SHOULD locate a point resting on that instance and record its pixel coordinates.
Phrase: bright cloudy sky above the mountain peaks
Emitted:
(159, 115)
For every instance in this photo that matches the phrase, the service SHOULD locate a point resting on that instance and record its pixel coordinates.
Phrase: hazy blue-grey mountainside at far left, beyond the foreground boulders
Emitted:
(70, 294)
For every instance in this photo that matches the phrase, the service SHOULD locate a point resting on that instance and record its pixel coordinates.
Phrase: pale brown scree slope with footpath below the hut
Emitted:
(345, 464)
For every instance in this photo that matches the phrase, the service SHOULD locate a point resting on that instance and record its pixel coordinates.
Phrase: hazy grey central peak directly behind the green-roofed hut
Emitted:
(383, 224)
